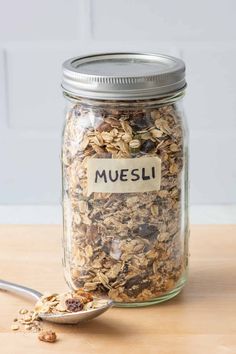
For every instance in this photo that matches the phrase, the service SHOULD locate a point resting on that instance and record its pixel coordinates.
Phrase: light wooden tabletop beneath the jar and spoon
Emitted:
(202, 319)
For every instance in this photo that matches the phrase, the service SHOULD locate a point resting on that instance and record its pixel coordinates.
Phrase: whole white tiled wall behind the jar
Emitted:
(36, 36)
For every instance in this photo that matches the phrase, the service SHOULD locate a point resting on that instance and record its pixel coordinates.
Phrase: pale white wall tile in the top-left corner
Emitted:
(38, 20)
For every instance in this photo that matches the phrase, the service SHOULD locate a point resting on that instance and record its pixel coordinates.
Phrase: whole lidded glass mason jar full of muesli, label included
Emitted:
(125, 177)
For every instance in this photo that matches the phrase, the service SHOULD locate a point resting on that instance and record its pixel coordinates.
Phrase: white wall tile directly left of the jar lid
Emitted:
(30, 97)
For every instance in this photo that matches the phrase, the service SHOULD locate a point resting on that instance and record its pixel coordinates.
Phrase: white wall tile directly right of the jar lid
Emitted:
(210, 100)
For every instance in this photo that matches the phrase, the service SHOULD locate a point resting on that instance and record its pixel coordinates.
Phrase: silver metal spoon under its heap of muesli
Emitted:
(65, 318)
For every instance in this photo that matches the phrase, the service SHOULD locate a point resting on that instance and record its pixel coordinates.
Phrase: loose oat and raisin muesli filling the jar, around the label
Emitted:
(126, 246)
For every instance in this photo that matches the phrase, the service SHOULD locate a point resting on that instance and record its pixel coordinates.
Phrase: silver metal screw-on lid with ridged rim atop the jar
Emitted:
(124, 76)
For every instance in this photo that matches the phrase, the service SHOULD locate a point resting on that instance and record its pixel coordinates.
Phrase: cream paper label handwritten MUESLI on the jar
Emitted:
(124, 175)
